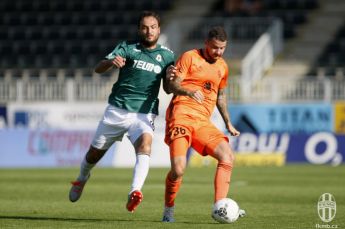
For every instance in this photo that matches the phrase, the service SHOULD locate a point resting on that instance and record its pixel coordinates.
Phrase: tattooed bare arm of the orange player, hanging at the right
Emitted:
(223, 110)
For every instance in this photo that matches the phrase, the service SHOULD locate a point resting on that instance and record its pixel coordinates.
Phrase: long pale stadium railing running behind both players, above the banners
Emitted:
(273, 90)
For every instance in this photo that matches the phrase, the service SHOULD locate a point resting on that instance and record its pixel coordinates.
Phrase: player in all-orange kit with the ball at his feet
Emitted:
(198, 83)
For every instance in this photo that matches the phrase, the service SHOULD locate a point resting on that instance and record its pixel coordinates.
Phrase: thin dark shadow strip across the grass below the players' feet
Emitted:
(39, 218)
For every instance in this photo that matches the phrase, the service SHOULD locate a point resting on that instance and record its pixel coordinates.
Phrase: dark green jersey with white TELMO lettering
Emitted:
(139, 80)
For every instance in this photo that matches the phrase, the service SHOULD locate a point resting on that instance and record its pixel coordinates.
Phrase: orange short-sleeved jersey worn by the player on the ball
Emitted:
(198, 74)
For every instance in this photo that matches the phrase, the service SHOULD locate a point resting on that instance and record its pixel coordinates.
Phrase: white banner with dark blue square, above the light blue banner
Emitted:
(62, 115)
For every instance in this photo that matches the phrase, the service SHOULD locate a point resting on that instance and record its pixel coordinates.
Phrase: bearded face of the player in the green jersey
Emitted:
(149, 31)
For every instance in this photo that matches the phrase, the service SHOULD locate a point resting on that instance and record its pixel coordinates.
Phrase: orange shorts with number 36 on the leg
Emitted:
(202, 135)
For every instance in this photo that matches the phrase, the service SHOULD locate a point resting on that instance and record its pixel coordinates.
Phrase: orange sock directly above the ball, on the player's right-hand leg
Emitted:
(222, 180)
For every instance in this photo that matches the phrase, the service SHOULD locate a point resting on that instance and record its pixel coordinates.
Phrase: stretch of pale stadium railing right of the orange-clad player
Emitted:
(310, 89)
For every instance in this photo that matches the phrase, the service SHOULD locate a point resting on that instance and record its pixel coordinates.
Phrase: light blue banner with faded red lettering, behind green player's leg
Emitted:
(45, 148)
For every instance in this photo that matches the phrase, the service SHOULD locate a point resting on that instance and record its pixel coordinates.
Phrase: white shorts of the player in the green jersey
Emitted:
(116, 122)
